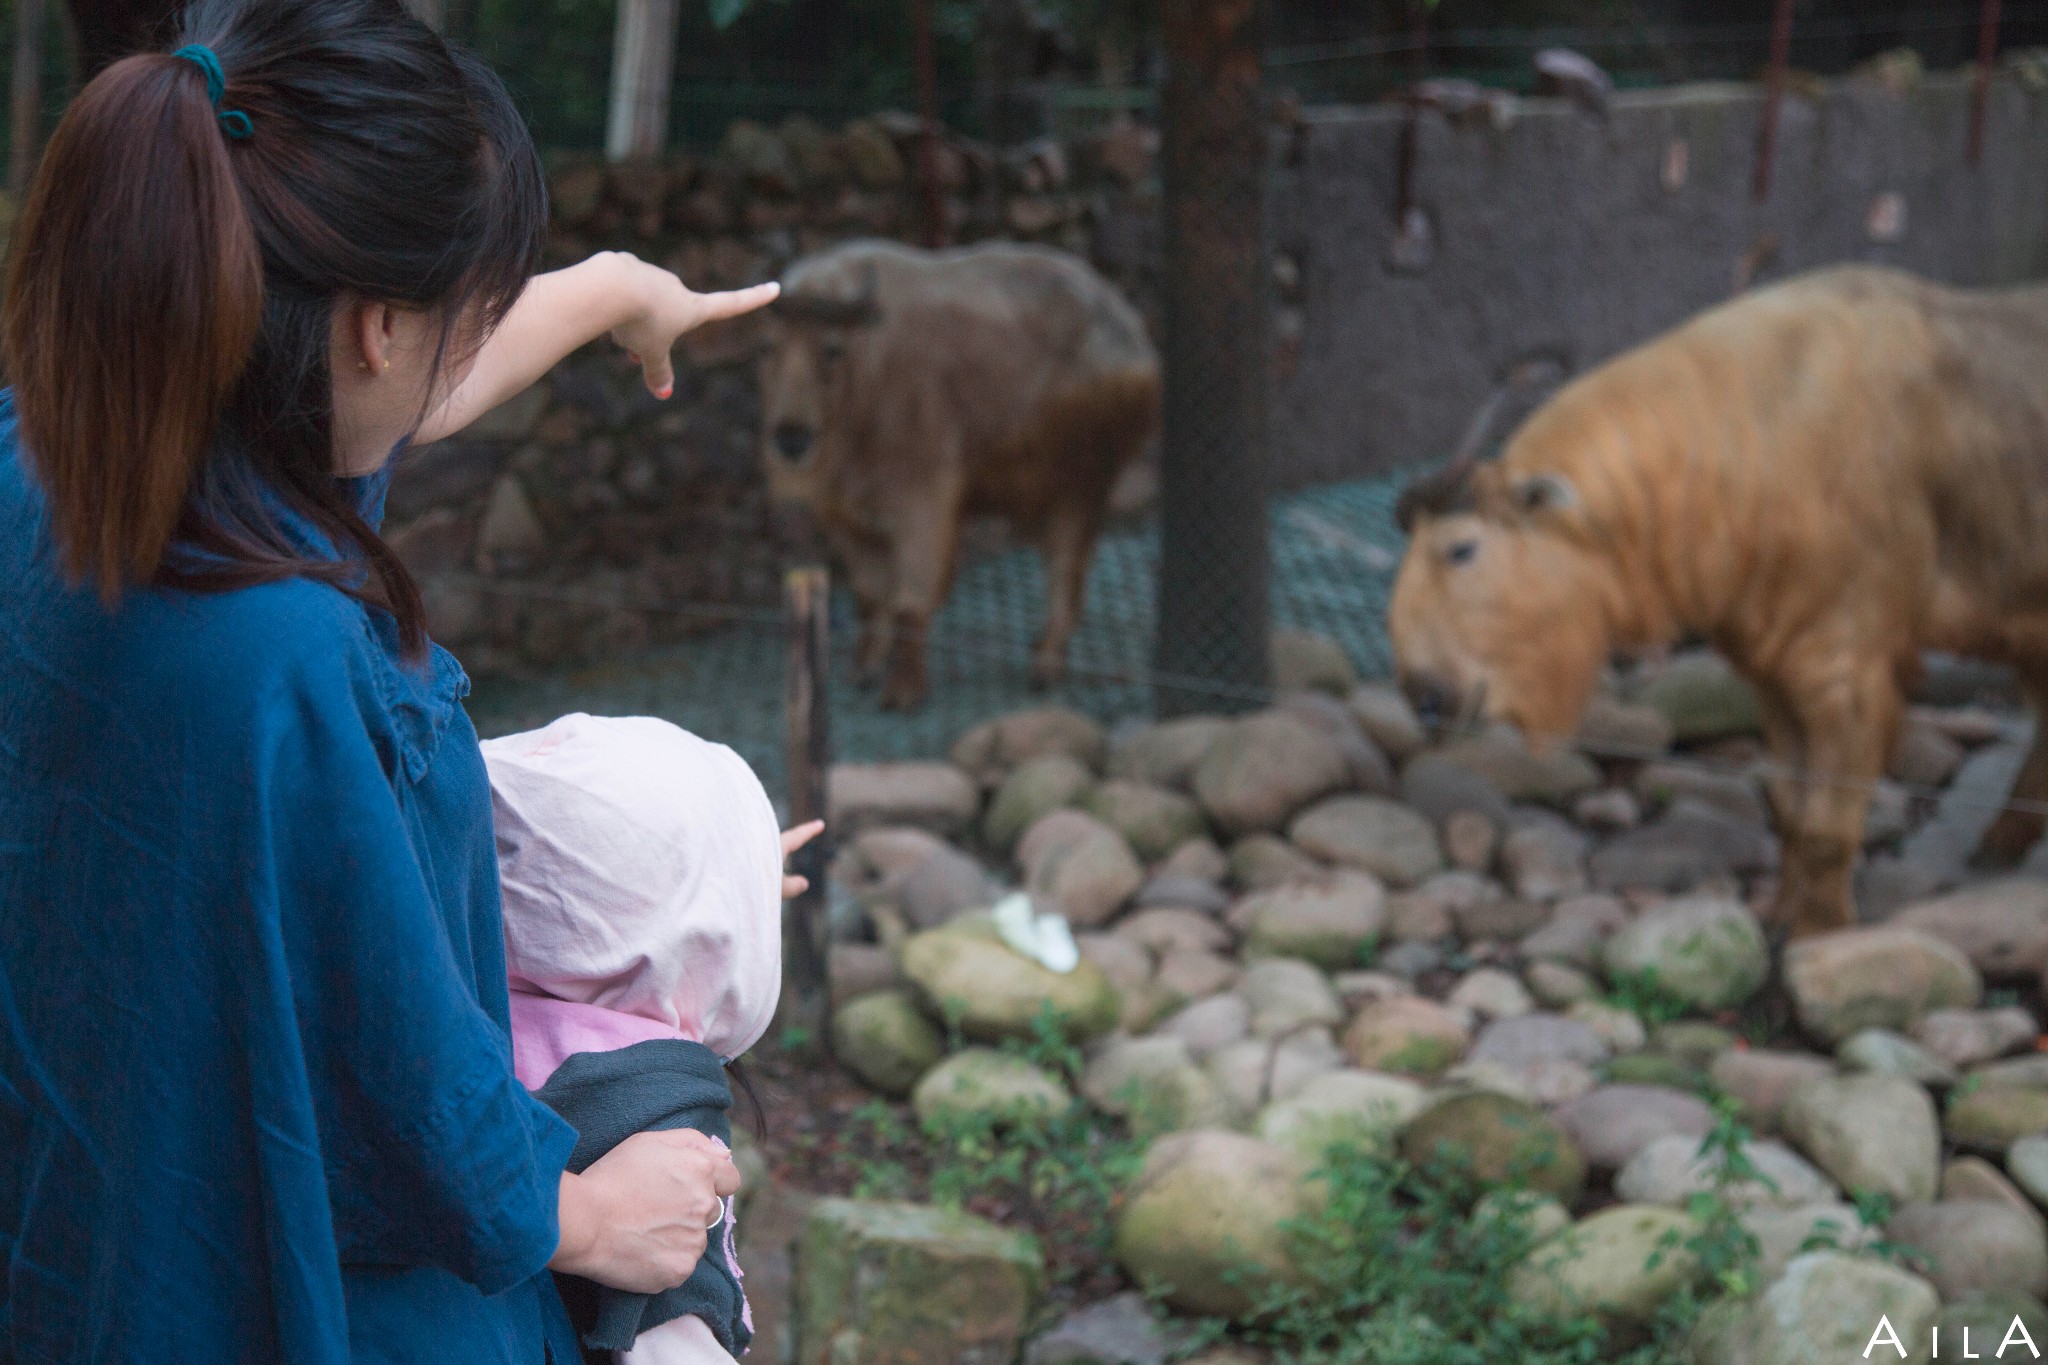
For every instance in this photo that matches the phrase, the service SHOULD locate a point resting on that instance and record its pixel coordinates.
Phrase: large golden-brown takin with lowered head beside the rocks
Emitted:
(1822, 480)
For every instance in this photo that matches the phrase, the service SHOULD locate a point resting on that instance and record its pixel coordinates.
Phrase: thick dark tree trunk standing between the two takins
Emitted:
(1213, 615)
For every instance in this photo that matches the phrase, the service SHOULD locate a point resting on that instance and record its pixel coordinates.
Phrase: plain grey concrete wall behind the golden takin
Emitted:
(1562, 230)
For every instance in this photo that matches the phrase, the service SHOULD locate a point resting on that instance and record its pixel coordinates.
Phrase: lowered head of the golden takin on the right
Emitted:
(1500, 611)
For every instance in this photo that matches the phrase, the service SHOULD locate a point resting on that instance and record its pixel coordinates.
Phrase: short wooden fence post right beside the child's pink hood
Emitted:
(806, 987)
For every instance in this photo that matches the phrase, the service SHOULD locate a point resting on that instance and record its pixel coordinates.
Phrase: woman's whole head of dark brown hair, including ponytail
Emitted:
(173, 290)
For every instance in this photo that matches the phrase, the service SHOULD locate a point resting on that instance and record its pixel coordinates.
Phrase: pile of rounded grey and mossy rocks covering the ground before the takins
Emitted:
(1312, 924)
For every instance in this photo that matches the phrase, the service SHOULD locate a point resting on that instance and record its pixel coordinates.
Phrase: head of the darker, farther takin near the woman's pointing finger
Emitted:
(808, 376)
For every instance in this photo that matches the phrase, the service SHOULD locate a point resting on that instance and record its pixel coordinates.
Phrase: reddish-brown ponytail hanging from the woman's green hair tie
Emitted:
(132, 306)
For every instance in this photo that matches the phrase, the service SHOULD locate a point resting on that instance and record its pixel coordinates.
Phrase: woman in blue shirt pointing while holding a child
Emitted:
(257, 1098)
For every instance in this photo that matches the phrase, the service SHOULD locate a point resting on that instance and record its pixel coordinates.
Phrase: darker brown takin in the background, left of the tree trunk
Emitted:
(910, 390)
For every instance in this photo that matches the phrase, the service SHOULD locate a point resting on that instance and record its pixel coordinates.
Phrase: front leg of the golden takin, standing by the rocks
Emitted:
(1848, 717)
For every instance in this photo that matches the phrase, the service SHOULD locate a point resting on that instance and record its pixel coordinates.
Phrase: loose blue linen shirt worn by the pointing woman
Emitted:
(257, 1094)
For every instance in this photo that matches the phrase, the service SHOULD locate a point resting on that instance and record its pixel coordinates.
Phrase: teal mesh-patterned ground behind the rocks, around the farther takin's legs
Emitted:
(1334, 552)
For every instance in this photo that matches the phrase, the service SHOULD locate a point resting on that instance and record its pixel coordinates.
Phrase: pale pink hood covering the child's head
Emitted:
(642, 873)
